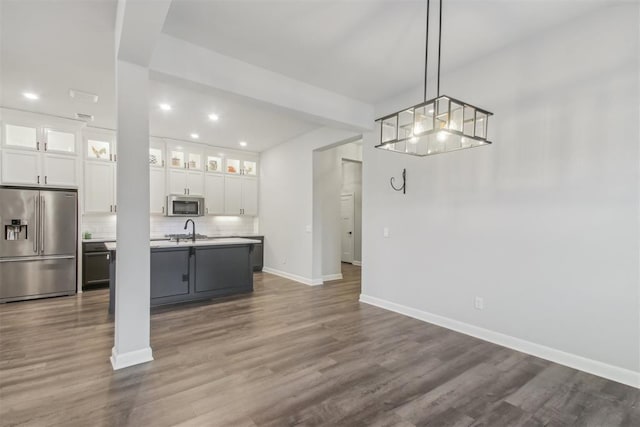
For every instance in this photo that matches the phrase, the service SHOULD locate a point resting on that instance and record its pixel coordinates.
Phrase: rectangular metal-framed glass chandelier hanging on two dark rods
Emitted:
(437, 125)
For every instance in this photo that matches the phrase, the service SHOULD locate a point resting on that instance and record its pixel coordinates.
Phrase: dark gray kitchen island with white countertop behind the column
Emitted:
(188, 271)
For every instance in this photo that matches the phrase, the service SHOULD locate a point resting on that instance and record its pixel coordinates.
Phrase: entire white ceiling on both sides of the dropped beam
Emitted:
(368, 50)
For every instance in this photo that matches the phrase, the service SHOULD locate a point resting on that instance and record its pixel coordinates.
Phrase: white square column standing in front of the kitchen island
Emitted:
(132, 316)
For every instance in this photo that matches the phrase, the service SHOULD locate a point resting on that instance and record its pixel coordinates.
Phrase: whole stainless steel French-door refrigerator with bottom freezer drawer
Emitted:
(38, 246)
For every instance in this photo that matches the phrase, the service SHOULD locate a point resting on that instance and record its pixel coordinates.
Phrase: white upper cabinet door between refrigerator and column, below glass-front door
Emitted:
(99, 187)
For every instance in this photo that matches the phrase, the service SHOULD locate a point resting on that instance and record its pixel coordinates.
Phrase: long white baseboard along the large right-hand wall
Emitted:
(614, 373)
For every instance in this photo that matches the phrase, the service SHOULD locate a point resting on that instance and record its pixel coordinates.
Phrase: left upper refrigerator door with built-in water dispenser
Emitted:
(18, 205)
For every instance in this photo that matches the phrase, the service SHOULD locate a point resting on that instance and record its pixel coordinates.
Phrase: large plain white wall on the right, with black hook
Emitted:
(544, 223)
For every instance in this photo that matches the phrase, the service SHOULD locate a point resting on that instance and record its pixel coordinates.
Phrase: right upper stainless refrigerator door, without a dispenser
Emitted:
(58, 211)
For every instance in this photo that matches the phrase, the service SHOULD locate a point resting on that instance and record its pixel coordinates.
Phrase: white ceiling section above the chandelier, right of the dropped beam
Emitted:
(369, 50)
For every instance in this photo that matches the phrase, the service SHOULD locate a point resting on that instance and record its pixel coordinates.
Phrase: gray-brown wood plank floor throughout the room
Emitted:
(288, 354)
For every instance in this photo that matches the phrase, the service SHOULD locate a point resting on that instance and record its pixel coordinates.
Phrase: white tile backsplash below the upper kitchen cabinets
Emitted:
(104, 226)
